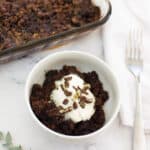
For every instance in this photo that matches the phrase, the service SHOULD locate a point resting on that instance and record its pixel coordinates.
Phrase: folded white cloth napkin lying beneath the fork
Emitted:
(115, 34)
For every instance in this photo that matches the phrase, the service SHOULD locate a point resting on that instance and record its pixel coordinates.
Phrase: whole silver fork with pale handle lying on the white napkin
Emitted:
(134, 62)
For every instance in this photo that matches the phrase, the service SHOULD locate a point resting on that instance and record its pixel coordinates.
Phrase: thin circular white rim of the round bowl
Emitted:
(71, 137)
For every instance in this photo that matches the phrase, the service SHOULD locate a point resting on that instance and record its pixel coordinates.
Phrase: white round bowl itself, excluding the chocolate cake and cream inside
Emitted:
(84, 62)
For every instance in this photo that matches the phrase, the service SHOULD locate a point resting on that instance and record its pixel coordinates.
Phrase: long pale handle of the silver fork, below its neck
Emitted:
(139, 142)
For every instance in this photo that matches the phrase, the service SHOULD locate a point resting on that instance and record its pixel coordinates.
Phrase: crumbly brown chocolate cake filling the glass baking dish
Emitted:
(22, 21)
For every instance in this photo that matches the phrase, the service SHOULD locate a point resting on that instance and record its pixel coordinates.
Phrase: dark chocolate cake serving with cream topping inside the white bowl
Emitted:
(69, 101)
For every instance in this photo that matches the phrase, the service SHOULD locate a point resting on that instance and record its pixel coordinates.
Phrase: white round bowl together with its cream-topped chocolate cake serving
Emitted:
(72, 94)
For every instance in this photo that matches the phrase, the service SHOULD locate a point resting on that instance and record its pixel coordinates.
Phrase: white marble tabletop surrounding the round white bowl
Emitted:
(14, 115)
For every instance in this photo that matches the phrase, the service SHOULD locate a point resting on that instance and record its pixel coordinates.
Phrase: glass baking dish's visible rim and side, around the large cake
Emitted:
(58, 39)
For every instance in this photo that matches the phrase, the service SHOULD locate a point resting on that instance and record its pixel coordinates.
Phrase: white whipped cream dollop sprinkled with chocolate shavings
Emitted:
(74, 98)
